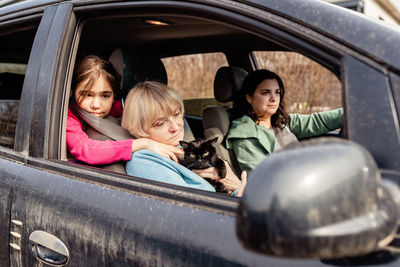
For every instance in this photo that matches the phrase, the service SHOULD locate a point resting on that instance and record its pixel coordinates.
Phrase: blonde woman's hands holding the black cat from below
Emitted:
(231, 182)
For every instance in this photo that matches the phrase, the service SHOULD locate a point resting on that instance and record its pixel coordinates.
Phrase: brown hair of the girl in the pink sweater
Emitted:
(92, 68)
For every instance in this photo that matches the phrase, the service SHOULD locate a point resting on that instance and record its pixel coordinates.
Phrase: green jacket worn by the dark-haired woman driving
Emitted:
(252, 142)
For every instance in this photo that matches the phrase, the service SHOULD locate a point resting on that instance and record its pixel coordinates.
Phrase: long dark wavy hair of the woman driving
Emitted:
(241, 107)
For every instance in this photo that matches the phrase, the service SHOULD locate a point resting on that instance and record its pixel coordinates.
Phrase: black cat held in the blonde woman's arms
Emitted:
(201, 154)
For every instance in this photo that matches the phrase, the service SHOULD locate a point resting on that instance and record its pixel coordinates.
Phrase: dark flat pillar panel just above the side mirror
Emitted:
(367, 92)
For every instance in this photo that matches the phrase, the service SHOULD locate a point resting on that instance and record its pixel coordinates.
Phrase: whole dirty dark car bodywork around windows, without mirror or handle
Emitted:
(109, 219)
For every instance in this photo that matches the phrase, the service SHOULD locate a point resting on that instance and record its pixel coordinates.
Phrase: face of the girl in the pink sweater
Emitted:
(98, 100)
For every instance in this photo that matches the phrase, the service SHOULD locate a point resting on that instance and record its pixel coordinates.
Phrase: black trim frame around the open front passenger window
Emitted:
(320, 50)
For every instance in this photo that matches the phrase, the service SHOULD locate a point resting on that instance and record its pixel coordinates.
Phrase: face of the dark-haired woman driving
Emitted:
(265, 99)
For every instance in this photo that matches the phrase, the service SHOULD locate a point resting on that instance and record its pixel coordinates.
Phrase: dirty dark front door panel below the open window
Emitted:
(141, 229)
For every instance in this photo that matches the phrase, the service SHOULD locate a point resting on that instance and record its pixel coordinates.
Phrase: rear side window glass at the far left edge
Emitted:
(14, 55)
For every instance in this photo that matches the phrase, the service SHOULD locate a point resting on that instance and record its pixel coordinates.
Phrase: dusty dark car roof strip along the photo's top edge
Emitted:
(375, 40)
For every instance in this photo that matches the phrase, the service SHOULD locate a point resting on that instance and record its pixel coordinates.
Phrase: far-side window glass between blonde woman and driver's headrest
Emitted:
(193, 77)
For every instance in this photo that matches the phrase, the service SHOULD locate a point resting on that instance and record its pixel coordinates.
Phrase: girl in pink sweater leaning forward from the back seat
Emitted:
(94, 89)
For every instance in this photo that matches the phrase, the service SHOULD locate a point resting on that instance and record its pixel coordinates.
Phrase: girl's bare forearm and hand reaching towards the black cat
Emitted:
(168, 151)
